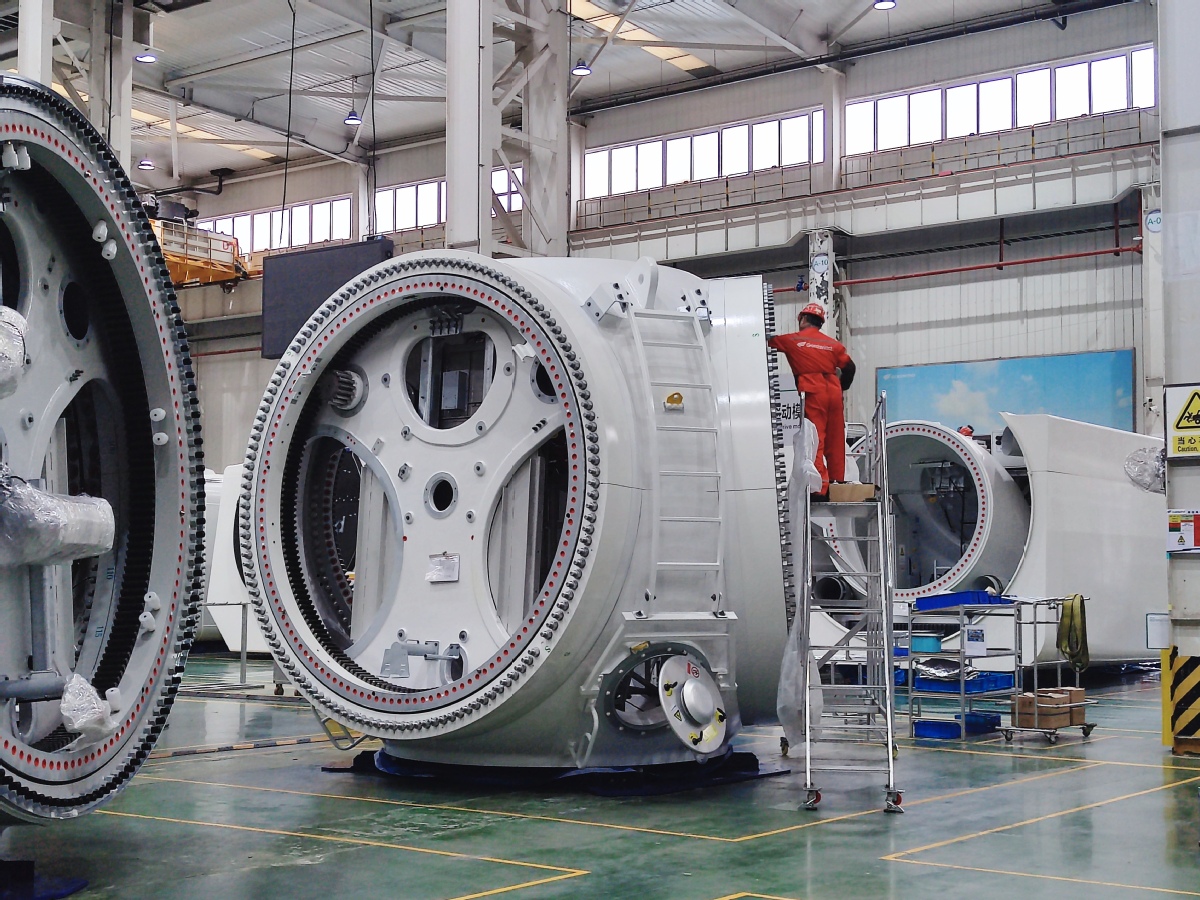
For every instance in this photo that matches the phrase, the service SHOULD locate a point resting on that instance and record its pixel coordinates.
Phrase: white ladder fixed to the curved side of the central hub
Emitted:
(687, 501)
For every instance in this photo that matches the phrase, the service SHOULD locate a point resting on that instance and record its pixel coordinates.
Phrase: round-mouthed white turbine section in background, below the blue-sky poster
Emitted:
(961, 519)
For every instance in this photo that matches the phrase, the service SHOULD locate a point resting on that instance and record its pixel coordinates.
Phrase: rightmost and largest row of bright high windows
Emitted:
(1033, 98)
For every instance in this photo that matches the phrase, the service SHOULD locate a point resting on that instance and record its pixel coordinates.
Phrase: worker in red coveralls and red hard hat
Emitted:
(824, 370)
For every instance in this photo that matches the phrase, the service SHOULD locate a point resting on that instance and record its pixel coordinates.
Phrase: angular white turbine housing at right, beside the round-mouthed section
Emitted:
(1094, 532)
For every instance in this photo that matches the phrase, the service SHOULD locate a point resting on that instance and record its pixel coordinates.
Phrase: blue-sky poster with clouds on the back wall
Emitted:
(1094, 388)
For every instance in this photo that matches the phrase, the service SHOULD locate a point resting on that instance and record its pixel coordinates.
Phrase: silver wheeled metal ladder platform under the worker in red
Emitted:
(853, 713)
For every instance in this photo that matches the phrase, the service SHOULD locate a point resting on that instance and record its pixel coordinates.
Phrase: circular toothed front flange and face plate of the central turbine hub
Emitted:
(386, 675)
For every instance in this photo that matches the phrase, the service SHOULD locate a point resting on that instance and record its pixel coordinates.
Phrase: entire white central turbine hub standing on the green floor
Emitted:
(489, 545)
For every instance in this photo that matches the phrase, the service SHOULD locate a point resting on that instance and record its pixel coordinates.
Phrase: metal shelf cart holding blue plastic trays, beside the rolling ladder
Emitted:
(987, 687)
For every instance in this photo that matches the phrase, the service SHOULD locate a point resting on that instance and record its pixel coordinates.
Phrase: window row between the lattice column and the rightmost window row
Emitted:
(736, 151)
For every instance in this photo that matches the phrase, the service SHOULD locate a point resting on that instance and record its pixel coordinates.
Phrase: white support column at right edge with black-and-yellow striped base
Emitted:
(1180, 110)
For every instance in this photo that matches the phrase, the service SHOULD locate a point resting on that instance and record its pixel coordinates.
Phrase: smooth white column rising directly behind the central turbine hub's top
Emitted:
(472, 135)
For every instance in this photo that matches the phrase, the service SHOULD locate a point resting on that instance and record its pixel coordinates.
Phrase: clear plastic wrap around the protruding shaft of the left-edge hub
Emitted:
(39, 529)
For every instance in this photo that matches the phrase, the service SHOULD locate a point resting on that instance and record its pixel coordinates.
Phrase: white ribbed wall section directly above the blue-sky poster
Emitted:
(1071, 307)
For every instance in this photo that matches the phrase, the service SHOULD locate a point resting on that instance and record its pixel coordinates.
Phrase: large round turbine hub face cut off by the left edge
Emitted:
(105, 406)
